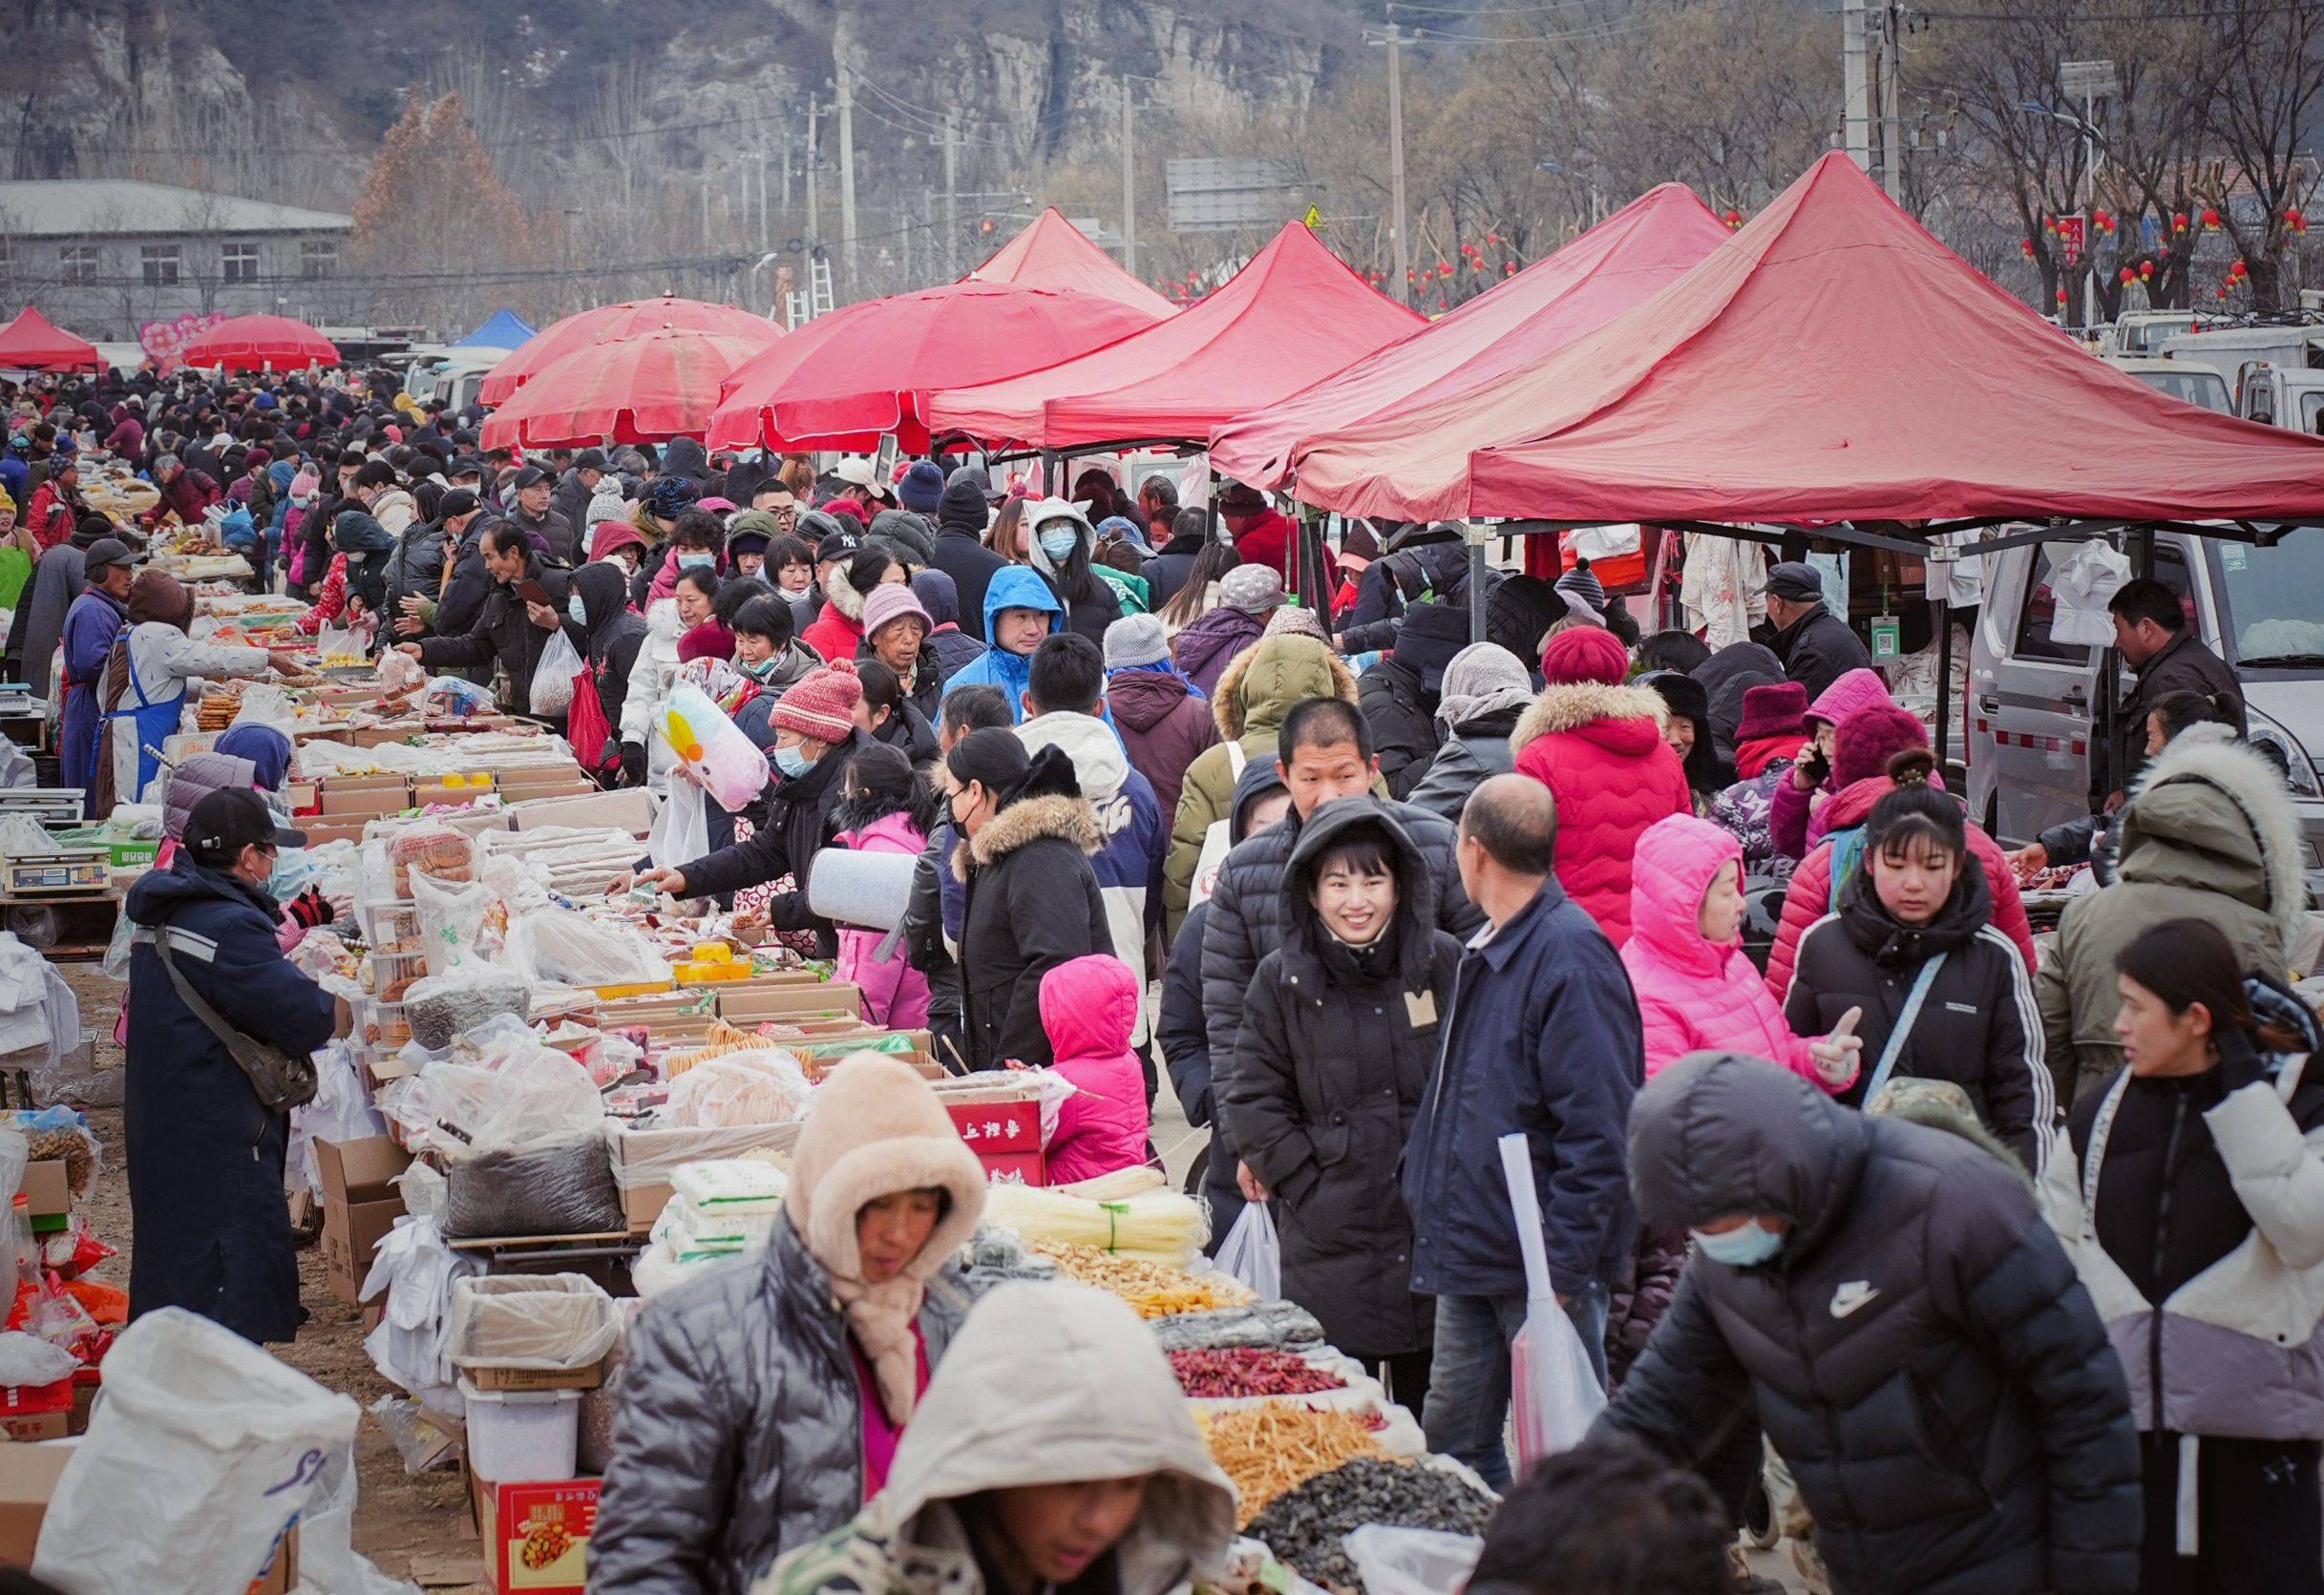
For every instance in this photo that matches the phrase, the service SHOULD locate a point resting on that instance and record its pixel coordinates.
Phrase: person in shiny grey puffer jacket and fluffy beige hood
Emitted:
(763, 1401)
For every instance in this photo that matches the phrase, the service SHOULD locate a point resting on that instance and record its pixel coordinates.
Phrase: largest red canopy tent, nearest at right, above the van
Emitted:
(1837, 363)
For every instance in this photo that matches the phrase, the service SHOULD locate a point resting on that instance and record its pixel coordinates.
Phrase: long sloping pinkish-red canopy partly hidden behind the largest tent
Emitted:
(1544, 308)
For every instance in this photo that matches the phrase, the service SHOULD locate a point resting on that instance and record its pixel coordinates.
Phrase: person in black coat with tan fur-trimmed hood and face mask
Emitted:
(1031, 895)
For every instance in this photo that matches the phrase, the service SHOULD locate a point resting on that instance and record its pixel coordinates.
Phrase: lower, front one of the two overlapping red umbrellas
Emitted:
(640, 389)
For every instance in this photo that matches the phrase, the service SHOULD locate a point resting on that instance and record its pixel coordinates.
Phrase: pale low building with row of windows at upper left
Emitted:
(106, 257)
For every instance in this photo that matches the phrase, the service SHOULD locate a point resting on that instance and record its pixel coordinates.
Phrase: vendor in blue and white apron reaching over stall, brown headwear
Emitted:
(145, 684)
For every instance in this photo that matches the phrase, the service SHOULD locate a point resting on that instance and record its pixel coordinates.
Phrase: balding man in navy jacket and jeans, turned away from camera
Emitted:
(1542, 1039)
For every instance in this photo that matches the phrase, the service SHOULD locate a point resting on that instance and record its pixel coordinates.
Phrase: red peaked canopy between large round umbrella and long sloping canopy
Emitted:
(1291, 317)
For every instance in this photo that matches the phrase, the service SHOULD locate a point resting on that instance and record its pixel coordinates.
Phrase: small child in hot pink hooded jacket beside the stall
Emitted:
(1091, 1009)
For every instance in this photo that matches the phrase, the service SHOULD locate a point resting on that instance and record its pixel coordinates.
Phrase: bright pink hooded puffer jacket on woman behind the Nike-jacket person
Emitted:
(1695, 995)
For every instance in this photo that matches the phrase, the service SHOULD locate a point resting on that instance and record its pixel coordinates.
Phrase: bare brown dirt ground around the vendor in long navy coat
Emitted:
(410, 1527)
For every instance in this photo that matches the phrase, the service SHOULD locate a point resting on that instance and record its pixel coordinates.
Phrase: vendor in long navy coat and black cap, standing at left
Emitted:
(206, 1153)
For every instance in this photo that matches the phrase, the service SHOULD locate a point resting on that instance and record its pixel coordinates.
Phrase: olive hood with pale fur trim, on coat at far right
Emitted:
(2214, 816)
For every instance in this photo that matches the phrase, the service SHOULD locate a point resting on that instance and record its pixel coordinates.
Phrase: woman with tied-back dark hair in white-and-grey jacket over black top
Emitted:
(2193, 1206)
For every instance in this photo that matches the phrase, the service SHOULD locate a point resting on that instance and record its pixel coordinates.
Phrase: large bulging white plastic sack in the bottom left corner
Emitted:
(201, 1455)
